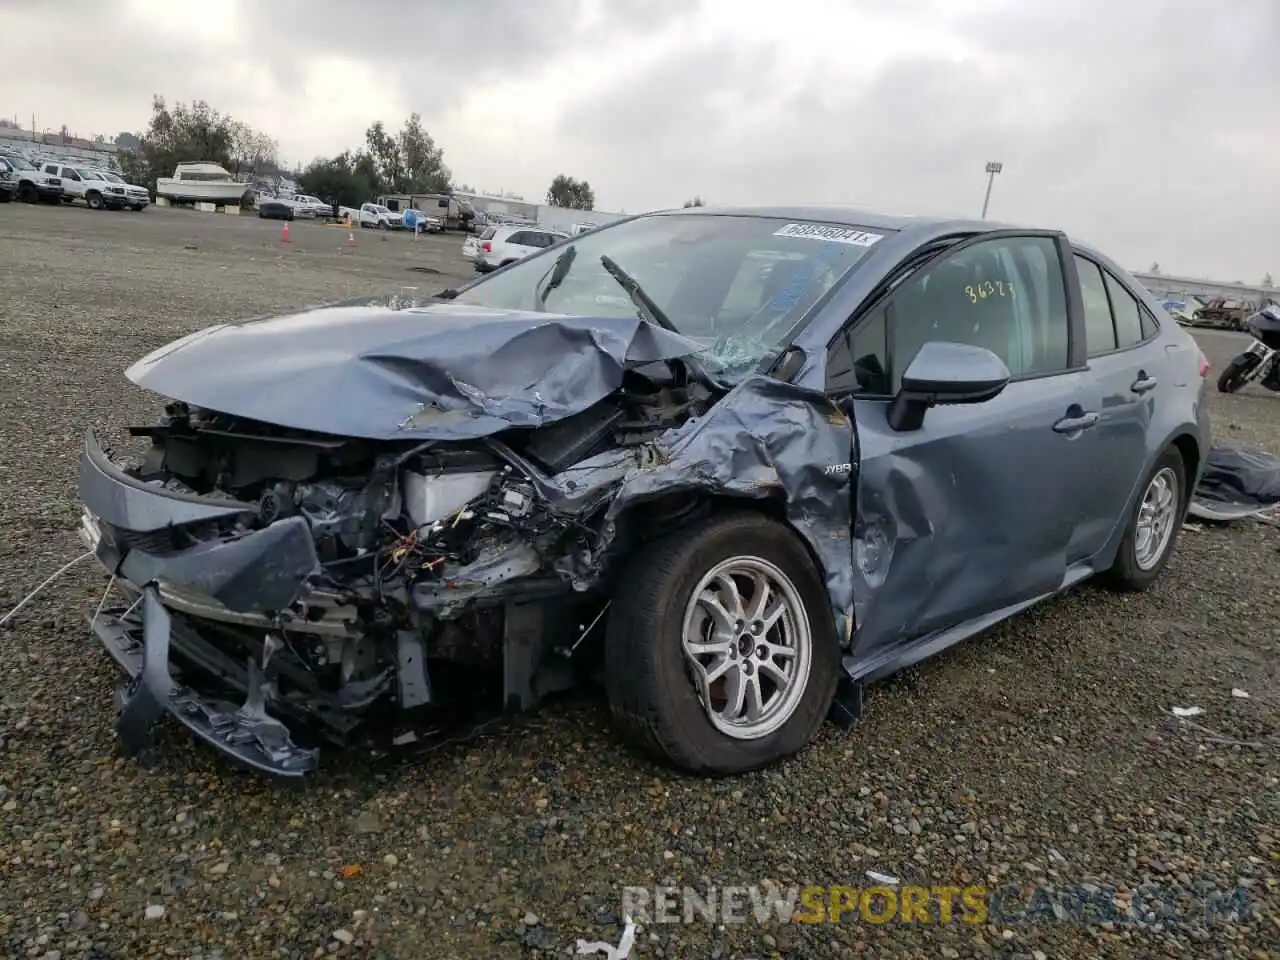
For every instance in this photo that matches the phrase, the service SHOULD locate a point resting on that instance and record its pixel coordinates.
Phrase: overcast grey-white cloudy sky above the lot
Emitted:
(1148, 127)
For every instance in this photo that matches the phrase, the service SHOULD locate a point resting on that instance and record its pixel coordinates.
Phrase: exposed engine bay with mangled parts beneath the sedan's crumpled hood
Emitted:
(423, 556)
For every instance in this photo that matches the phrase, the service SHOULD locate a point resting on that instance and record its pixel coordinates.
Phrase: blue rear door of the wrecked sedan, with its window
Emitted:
(1127, 364)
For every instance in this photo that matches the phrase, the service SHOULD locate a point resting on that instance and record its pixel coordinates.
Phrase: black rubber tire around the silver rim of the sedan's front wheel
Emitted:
(652, 697)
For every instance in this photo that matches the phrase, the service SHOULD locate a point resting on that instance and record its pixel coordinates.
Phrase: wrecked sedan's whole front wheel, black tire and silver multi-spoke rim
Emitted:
(721, 652)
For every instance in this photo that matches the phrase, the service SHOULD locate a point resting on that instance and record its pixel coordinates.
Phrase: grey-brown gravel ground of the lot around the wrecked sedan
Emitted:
(1041, 756)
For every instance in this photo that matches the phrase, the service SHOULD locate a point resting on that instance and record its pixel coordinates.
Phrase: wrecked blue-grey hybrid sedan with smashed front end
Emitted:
(752, 459)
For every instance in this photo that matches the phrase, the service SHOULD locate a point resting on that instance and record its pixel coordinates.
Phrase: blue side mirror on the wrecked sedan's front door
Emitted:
(947, 373)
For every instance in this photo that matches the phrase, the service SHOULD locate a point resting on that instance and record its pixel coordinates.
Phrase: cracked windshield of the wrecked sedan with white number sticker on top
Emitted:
(738, 285)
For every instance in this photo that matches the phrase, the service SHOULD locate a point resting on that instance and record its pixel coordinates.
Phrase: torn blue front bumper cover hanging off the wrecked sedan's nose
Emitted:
(136, 532)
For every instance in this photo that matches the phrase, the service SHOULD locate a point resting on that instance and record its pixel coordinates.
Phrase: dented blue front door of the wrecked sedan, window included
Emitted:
(973, 513)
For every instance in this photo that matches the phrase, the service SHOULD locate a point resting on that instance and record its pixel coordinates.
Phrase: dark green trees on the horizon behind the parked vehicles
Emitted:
(406, 162)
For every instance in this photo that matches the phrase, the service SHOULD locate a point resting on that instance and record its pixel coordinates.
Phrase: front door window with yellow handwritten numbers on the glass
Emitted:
(1005, 295)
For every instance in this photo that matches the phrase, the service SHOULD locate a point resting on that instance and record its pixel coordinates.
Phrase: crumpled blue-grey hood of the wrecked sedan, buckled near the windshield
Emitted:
(406, 369)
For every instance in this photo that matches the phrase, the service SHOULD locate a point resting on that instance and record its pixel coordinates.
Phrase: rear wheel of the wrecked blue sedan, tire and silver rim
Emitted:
(1153, 532)
